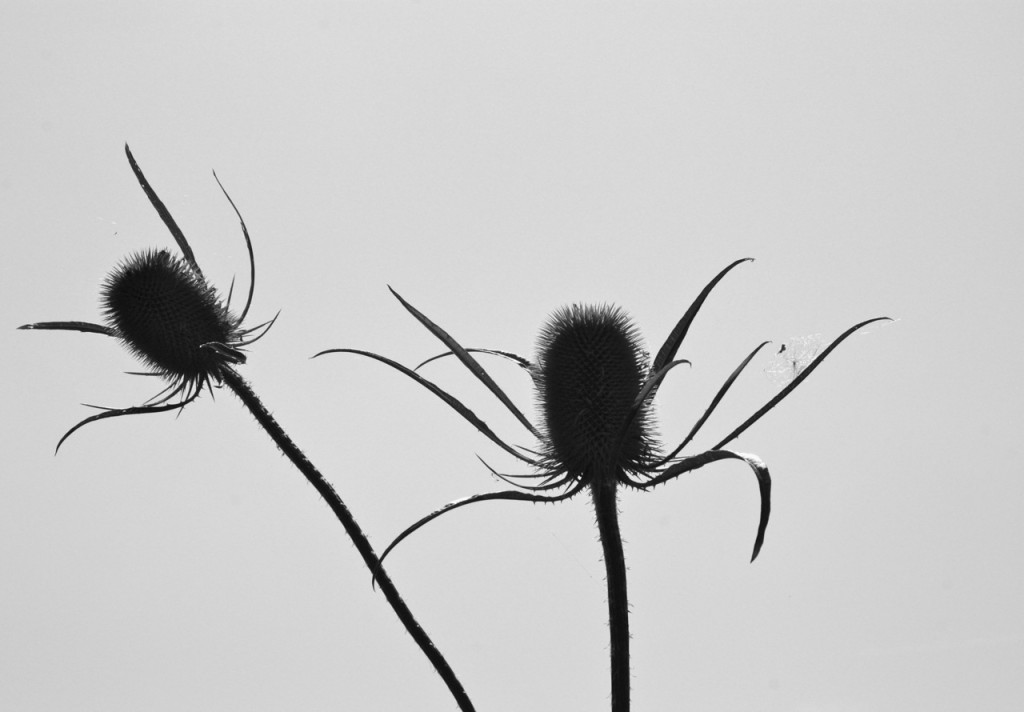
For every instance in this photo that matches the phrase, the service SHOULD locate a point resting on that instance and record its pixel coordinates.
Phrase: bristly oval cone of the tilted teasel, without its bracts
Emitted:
(166, 314)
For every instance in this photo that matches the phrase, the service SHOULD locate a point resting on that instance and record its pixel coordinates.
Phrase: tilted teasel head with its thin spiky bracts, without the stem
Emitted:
(164, 311)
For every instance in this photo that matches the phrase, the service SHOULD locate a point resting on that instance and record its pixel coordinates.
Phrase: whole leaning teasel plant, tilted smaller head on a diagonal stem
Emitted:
(163, 310)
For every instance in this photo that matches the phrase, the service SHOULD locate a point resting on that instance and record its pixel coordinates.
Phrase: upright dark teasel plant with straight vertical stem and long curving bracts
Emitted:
(595, 389)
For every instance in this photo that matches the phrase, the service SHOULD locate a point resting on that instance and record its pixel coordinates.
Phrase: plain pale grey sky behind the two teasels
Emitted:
(493, 163)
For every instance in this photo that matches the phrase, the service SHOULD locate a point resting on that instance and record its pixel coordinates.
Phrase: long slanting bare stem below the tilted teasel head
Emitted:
(242, 389)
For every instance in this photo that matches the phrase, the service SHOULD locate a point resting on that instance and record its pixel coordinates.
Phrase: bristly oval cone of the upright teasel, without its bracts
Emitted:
(591, 367)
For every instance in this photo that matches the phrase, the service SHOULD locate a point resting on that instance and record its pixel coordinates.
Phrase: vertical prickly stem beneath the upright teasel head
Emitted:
(607, 509)
